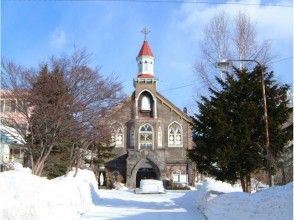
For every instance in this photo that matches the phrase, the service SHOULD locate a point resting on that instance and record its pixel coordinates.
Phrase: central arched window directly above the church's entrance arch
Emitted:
(146, 137)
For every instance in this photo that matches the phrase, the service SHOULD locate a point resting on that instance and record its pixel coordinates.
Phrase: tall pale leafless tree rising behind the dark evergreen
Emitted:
(229, 38)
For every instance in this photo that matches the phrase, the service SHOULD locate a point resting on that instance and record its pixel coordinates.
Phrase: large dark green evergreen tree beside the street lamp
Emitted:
(229, 129)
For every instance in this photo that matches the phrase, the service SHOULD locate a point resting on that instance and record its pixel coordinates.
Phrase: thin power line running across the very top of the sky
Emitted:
(179, 2)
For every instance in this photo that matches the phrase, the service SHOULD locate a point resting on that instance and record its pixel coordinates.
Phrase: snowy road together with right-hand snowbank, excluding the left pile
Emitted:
(212, 200)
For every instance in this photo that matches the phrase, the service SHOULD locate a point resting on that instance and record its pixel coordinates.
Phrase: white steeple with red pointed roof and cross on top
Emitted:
(145, 59)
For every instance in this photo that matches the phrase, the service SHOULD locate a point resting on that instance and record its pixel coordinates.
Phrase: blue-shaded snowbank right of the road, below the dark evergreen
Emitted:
(221, 201)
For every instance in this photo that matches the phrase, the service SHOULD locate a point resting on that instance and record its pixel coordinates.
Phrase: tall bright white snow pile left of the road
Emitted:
(26, 196)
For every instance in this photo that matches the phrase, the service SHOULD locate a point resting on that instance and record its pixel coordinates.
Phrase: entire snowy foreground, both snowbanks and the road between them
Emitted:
(25, 196)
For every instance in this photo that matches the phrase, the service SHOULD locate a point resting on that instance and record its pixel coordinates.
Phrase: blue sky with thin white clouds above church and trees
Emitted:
(31, 31)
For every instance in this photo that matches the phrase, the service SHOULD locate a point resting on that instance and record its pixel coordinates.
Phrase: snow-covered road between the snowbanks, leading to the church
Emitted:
(125, 205)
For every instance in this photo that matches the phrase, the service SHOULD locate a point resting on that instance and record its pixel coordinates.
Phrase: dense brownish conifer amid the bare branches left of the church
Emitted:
(51, 117)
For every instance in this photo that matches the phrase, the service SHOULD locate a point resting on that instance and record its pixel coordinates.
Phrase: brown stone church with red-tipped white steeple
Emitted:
(151, 135)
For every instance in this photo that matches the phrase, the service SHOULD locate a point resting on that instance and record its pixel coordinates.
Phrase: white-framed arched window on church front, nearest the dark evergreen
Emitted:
(175, 136)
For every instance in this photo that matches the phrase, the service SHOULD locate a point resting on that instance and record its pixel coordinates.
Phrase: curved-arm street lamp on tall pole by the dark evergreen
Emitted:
(223, 66)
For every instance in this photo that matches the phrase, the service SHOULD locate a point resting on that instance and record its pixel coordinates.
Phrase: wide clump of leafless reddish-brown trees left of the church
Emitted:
(67, 101)
